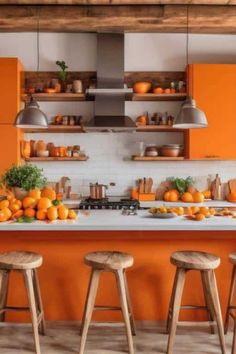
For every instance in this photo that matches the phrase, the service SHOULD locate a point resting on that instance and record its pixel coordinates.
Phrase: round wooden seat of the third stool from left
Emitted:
(195, 260)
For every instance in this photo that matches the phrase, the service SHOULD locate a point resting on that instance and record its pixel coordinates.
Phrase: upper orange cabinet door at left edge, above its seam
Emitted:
(11, 80)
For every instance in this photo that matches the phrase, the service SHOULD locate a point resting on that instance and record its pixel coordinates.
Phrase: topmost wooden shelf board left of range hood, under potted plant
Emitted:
(55, 97)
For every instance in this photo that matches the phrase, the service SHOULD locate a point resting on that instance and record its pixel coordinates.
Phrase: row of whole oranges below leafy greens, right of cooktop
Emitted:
(196, 197)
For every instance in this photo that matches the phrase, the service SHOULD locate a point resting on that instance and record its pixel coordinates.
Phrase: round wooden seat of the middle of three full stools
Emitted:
(109, 260)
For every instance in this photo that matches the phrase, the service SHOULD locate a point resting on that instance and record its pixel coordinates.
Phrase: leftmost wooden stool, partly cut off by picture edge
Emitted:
(26, 263)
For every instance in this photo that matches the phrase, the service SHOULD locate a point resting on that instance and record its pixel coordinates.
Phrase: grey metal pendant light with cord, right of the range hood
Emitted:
(189, 116)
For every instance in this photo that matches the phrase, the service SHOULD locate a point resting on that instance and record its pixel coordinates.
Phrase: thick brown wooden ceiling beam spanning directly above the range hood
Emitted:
(135, 18)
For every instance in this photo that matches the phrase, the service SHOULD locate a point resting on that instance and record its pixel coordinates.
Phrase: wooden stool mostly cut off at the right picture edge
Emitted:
(230, 306)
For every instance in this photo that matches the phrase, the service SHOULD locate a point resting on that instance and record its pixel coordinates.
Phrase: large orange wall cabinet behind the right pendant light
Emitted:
(213, 86)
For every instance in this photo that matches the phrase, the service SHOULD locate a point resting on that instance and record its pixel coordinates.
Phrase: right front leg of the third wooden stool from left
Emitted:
(213, 291)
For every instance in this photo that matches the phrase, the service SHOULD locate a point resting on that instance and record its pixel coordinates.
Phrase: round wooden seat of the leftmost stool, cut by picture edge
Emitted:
(20, 260)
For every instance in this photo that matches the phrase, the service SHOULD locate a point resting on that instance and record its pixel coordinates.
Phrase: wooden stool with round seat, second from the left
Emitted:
(115, 262)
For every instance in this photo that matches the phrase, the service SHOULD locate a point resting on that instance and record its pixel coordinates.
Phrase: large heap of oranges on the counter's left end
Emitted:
(38, 204)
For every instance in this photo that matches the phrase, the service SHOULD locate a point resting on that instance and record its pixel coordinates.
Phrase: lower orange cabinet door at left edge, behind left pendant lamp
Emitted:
(9, 146)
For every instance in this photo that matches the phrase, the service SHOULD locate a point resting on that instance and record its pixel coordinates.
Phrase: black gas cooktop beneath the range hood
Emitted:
(109, 203)
